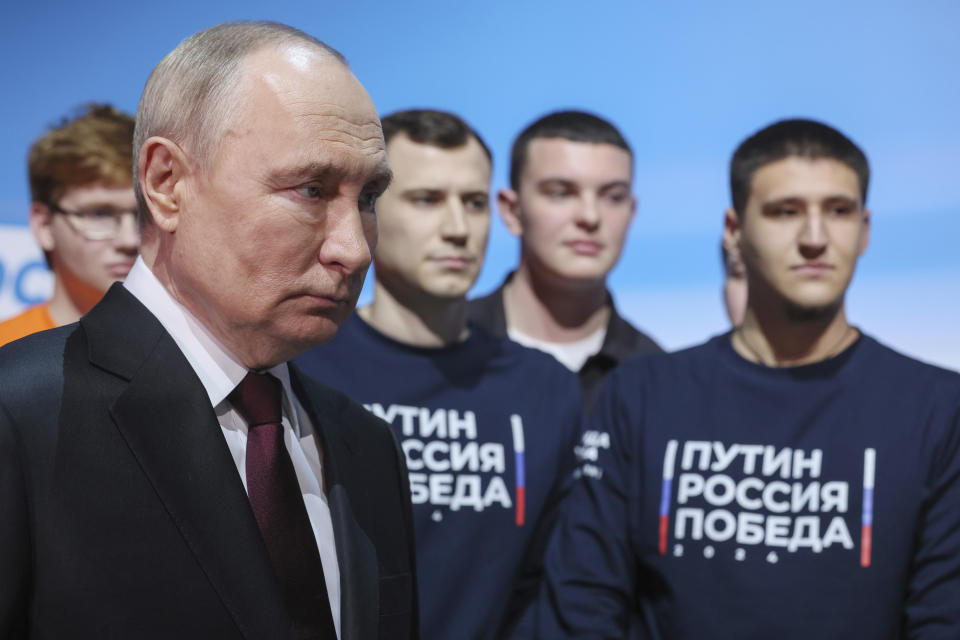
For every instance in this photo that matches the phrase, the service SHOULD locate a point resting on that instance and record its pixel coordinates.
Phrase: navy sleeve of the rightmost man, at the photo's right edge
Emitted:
(932, 610)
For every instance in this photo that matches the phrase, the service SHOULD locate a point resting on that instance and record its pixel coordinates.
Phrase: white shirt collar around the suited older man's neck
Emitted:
(218, 369)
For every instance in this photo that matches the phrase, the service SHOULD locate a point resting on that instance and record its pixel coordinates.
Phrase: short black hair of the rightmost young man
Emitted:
(792, 138)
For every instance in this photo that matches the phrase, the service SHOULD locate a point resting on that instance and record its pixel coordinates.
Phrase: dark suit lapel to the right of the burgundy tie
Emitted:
(356, 554)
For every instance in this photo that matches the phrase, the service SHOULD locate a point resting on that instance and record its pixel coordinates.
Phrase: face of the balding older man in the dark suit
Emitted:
(275, 237)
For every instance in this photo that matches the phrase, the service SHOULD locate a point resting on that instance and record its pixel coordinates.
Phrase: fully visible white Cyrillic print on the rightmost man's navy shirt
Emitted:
(748, 497)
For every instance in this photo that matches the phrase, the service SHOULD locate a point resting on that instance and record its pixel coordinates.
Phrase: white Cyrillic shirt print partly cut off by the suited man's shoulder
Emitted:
(449, 467)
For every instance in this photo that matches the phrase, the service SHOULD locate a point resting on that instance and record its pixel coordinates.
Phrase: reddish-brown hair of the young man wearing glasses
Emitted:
(94, 147)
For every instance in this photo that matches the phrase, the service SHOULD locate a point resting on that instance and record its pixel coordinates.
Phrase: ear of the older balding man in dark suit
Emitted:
(161, 171)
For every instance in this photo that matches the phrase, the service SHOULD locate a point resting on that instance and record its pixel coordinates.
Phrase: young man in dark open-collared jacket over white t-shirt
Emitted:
(570, 202)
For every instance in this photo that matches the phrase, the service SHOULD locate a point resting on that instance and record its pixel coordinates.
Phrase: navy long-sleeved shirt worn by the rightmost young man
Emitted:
(725, 499)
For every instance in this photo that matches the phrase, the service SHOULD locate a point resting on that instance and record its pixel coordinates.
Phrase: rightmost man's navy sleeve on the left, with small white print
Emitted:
(590, 565)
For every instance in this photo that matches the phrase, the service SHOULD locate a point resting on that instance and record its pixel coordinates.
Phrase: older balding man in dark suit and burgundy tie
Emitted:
(163, 472)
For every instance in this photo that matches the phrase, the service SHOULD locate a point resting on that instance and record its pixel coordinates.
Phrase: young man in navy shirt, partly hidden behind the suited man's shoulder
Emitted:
(488, 426)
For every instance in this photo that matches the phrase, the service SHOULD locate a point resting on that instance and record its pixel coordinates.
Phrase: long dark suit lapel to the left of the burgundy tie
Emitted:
(166, 419)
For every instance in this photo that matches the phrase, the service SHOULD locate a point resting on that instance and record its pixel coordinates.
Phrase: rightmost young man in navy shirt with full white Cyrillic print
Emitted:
(791, 479)
